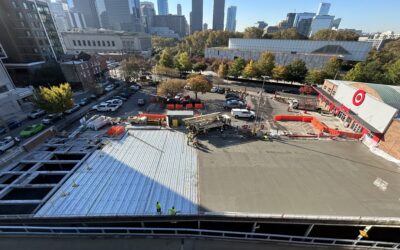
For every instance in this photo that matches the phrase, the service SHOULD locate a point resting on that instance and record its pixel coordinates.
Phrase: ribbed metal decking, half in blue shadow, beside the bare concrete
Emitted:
(128, 177)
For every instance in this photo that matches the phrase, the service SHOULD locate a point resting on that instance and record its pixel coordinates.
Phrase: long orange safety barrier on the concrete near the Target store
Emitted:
(318, 125)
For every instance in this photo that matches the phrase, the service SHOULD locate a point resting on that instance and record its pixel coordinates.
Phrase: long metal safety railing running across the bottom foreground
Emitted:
(194, 233)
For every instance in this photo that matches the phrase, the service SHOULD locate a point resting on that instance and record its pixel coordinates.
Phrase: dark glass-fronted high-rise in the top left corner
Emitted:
(29, 36)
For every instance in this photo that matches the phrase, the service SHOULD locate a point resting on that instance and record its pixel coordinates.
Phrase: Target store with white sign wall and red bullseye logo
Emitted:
(370, 109)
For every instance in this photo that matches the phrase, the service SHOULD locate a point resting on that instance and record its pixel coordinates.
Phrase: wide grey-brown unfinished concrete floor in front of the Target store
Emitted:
(296, 177)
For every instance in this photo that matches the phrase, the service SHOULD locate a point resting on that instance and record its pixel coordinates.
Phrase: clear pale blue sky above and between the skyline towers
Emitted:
(367, 15)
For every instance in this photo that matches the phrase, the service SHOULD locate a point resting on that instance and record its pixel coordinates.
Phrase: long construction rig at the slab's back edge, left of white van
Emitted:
(204, 123)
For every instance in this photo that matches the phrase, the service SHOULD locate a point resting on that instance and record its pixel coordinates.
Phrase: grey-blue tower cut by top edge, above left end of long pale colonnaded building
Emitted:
(89, 10)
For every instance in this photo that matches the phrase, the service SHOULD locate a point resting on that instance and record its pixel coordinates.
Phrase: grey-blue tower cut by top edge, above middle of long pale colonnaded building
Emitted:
(119, 15)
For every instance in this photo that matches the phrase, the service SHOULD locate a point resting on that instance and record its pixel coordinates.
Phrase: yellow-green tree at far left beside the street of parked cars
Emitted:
(54, 99)
